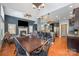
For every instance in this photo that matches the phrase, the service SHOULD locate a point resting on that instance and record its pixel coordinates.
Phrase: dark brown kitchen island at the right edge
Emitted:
(73, 42)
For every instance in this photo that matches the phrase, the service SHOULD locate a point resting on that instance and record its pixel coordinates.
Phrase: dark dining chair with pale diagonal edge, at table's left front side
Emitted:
(19, 49)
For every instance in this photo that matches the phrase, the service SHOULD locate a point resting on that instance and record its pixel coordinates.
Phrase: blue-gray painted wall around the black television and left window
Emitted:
(14, 20)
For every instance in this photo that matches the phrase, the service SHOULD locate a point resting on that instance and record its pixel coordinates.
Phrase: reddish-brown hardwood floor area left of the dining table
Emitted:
(8, 50)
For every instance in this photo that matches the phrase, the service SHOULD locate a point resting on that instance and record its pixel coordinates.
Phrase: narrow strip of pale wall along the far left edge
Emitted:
(1, 24)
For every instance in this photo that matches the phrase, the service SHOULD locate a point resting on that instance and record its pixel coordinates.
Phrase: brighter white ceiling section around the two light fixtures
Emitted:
(19, 9)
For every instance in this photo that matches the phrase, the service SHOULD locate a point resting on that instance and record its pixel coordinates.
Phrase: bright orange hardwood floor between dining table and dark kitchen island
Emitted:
(59, 48)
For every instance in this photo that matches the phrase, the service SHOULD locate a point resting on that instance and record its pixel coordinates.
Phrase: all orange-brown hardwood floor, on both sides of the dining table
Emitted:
(59, 48)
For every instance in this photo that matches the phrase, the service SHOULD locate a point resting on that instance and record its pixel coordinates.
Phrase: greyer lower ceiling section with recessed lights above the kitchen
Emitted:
(63, 13)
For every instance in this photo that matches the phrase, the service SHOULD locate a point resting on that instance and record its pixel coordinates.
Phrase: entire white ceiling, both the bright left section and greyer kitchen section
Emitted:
(56, 10)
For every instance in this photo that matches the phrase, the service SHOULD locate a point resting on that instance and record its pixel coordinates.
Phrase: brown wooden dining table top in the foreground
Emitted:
(30, 44)
